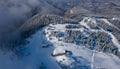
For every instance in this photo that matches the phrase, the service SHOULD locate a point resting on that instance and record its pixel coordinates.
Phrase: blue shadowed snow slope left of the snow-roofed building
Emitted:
(38, 56)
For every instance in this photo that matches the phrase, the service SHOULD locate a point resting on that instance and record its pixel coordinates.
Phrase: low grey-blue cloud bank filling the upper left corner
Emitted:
(13, 13)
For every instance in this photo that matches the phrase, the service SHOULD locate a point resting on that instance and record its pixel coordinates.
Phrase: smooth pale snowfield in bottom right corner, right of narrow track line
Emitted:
(106, 61)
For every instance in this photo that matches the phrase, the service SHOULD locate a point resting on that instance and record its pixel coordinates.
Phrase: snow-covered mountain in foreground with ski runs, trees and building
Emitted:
(54, 42)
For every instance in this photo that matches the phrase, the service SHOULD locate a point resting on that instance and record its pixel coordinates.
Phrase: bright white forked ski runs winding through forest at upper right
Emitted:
(92, 20)
